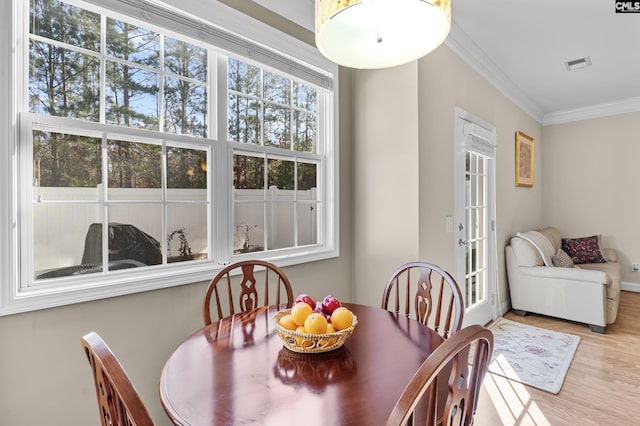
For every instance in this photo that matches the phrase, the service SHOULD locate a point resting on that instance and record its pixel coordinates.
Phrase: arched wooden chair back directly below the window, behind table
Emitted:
(253, 277)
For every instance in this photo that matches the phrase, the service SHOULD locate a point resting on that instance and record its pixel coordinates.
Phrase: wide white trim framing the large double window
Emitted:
(14, 300)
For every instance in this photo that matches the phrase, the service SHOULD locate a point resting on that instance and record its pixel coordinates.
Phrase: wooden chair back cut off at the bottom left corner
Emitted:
(118, 401)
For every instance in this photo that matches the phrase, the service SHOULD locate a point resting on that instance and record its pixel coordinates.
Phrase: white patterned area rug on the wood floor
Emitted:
(531, 355)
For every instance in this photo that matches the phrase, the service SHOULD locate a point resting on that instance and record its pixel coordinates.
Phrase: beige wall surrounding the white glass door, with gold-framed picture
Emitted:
(446, 82)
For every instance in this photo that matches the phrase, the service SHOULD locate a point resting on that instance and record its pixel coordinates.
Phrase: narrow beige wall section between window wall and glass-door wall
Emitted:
(386, 180)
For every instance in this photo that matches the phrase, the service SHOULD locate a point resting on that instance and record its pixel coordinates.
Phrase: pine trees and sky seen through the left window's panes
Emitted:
(65, 81)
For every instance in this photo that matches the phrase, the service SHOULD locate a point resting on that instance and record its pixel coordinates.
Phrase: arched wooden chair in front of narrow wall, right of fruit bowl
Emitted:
(427, 293)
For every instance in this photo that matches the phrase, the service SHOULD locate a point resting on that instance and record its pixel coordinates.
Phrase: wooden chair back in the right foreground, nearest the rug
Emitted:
(452, 398)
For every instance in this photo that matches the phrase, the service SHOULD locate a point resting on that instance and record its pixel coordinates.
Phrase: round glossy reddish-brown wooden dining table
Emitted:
(236, 371)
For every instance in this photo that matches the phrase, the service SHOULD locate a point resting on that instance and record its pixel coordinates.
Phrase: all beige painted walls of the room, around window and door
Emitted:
(401, 144)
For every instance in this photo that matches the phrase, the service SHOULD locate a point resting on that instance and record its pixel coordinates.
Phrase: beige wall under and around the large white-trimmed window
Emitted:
(44, 377)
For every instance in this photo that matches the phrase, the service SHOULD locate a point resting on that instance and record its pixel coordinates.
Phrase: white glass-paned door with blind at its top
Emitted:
(474, 223)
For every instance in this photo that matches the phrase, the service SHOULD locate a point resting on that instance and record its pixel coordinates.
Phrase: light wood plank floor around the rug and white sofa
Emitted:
(601, 388)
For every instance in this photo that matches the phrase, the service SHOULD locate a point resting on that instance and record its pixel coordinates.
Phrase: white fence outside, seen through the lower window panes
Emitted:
(60, 229)
